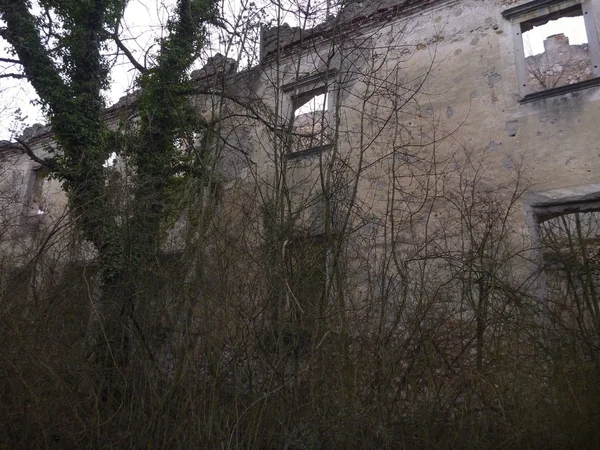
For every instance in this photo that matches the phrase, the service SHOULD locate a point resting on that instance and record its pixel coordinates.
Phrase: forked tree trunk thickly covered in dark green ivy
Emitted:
(69, 84)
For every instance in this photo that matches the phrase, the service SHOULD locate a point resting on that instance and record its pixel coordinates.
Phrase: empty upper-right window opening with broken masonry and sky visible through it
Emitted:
(556, 50)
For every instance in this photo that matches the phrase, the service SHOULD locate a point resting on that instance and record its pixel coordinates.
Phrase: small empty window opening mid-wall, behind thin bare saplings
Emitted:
(310, 121)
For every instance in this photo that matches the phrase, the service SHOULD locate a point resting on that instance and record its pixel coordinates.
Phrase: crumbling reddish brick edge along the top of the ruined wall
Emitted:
(400, 9)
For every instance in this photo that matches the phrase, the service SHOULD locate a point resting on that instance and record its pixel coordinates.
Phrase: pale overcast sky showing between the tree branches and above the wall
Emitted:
(144, 21)
